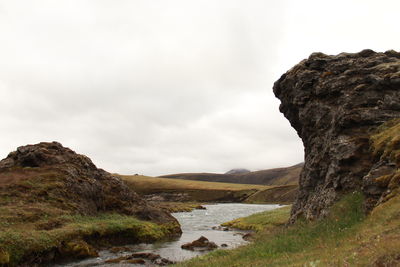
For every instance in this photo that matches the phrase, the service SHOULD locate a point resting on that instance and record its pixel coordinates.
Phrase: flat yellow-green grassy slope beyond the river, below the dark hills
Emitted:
(202, 191)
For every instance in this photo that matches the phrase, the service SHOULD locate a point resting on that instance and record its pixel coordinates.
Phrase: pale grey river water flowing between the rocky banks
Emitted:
(194, 224)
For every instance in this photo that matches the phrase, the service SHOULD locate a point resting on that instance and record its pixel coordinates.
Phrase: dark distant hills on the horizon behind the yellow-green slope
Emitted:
(277, 176)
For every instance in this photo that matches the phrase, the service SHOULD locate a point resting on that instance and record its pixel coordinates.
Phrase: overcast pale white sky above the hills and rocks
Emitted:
(158, 87)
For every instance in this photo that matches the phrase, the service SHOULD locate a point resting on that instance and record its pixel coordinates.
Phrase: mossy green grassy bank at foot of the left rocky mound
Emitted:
(74, 236)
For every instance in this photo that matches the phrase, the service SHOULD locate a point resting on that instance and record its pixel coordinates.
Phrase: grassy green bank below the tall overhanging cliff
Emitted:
(345, 238)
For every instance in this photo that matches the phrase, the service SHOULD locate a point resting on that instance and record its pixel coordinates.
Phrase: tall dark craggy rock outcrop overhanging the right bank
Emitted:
(335, 103)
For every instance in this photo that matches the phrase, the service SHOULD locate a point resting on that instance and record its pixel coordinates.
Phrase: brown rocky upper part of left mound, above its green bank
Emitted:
(72, 182)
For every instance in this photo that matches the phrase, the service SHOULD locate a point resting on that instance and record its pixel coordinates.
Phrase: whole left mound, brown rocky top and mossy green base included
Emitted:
(55, 203)
